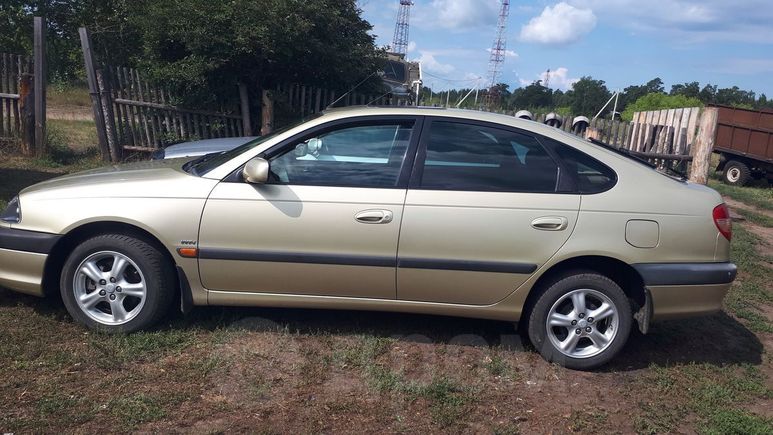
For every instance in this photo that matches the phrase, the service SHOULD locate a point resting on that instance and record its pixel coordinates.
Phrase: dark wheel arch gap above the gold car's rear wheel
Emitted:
(622, 273)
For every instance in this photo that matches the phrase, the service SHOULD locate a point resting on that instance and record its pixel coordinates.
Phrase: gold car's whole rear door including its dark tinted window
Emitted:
(481, 214)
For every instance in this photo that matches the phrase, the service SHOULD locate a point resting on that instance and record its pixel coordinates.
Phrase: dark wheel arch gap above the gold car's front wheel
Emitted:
(80, 233)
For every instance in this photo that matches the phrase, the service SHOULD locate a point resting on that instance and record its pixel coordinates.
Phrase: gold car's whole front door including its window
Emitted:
(326, 223)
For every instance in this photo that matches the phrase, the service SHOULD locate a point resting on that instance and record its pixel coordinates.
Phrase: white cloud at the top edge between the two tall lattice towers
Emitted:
(459, 15)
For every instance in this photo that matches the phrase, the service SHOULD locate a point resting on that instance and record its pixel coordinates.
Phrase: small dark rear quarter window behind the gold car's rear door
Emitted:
(591, 176)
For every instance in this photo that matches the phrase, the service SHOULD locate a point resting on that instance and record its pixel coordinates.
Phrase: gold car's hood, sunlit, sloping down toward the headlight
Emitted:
(160, 178)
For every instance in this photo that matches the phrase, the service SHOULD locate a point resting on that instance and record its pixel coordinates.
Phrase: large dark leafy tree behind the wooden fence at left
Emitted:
(203, 48)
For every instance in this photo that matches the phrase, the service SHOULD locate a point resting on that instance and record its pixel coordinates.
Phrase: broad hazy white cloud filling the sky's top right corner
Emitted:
(690, 21)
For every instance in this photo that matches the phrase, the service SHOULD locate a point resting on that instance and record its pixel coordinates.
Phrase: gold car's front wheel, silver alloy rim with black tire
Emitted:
(117, 283)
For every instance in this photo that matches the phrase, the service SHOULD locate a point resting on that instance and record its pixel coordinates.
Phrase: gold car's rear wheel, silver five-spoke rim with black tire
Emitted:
(575, 339)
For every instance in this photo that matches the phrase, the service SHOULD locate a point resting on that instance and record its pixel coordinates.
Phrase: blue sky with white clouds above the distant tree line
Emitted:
(623, 42)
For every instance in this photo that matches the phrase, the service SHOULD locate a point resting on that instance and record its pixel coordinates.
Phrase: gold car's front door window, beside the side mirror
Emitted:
(360, 156)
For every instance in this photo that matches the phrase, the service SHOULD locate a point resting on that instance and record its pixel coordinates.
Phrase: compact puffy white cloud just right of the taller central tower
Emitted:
(558, 25)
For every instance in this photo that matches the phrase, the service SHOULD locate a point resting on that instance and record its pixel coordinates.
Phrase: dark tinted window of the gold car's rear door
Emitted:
(472, 157)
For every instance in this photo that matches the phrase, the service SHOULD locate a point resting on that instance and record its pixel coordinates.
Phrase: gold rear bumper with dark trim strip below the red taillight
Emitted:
(686, 289)
